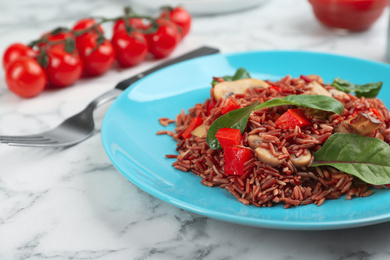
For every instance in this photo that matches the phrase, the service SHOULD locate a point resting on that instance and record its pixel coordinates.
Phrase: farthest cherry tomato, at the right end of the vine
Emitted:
(180, 17)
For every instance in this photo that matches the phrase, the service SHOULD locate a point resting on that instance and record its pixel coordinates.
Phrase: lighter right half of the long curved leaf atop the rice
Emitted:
(319, 102)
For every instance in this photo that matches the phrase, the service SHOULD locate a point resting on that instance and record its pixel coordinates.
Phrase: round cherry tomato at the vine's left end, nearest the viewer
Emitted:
(25, 77)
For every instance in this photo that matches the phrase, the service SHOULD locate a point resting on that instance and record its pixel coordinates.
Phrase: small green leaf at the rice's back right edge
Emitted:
(369, 90)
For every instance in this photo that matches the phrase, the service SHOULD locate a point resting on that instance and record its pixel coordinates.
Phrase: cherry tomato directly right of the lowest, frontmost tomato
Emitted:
(64, 68)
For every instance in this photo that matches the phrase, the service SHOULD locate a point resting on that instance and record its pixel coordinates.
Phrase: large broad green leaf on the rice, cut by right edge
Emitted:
(364, 157)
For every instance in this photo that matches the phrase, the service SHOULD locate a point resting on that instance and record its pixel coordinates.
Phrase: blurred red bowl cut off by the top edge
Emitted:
(353, 15)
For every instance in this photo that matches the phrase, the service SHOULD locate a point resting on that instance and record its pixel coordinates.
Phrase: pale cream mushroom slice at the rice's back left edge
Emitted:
(227, 88)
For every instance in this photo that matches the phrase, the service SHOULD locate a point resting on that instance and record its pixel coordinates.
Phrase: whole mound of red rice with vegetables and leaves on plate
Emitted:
(296, 141)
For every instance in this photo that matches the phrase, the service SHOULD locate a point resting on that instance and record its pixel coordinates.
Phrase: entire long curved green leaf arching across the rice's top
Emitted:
(239, 118)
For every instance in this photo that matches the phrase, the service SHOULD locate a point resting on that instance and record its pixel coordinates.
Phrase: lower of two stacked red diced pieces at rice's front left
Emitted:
(235, 159)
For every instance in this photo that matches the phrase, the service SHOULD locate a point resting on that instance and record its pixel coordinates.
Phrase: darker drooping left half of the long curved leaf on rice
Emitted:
(236, 119)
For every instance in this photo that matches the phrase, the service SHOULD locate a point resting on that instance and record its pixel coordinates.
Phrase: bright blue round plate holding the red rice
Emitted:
(130, 140)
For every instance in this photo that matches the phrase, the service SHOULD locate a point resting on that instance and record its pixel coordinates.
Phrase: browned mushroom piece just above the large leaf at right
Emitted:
(362, 124)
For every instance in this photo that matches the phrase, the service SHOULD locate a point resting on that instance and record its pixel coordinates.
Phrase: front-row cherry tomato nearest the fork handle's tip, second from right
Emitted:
(164, 41)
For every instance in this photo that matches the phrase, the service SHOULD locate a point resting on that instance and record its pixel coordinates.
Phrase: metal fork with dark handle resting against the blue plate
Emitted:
(81, 126)
